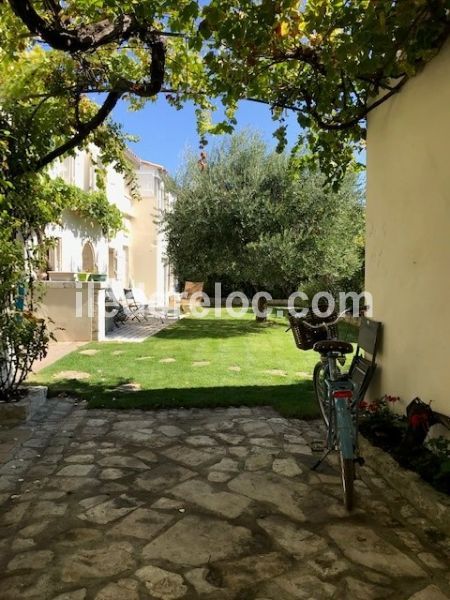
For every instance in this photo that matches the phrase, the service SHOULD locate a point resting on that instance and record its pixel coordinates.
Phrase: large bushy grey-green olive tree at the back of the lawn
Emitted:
(249, 216)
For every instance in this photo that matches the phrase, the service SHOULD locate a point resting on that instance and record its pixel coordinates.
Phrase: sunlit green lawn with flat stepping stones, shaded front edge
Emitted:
(224, 342)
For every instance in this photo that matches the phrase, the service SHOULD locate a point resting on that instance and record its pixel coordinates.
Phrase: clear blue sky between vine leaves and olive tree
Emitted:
(166, 133)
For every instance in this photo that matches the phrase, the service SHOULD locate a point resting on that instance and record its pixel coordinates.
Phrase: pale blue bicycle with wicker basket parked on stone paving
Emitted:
(334, 391)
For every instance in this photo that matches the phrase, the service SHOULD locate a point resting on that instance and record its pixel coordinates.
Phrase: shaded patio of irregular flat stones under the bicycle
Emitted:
(217, 504)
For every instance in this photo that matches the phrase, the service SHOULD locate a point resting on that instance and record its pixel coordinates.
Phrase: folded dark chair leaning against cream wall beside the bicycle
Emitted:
(362, 367)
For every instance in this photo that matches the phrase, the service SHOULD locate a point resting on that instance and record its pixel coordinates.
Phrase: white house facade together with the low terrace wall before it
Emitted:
(134, 258)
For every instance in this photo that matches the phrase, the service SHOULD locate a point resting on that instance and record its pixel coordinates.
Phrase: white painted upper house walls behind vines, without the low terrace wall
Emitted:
(140, 248)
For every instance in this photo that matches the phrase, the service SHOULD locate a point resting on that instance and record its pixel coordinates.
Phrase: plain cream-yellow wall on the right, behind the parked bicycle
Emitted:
(408, 236)
